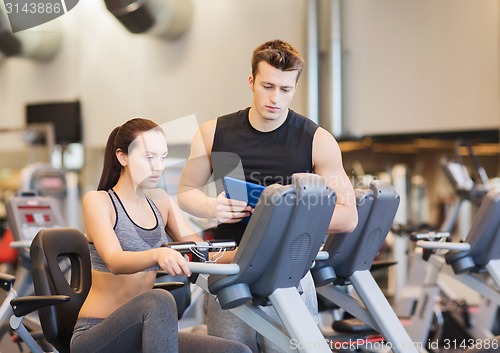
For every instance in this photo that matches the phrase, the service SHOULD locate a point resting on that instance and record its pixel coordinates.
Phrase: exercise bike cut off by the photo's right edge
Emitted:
(474, 264)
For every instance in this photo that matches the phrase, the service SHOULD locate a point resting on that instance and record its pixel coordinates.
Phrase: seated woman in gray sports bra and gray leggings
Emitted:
(125, 221)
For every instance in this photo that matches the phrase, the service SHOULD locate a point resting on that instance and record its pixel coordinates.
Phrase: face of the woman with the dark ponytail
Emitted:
(146, 158)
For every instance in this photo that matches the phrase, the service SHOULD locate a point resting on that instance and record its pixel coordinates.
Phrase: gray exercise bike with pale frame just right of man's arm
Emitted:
(349, 264)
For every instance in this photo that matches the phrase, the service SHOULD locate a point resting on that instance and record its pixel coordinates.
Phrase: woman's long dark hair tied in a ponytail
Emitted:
(120, 139)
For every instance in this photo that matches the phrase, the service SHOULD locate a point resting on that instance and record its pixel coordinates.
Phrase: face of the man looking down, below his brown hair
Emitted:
(273, 91)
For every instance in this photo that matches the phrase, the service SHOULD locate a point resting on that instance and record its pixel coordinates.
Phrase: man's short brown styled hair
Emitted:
(280, 55)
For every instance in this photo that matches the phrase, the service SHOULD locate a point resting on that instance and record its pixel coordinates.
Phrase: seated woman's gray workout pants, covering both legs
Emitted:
(146, 324)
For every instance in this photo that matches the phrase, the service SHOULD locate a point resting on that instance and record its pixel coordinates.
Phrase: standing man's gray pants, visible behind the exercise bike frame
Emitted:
(223, 323)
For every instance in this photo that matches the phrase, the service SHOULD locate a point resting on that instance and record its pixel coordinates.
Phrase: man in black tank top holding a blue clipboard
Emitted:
(270, 142)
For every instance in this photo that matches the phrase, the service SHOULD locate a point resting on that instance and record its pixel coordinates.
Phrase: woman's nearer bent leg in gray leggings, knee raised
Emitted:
(148, 324)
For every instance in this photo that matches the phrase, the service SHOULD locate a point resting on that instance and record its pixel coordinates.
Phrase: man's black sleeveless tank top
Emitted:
(266, 157)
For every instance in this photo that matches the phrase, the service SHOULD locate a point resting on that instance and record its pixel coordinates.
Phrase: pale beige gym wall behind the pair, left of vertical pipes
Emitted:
(118, 75)
